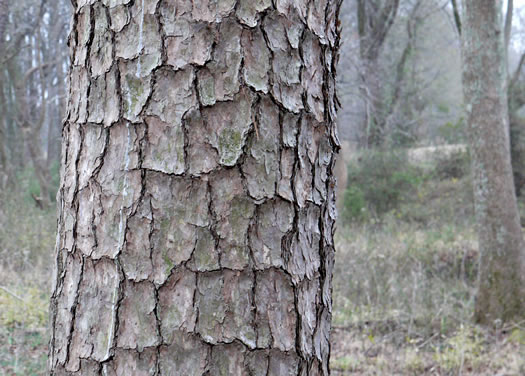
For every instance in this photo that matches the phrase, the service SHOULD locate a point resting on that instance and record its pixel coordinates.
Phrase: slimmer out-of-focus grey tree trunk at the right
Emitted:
(501, 295)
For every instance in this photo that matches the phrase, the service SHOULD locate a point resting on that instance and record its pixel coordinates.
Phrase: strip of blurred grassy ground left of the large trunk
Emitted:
(26, 246)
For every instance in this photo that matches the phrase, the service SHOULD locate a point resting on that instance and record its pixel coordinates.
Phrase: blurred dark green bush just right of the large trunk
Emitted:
(379, 182)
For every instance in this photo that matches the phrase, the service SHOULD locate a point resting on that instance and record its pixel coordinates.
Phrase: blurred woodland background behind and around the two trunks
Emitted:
(407, 254)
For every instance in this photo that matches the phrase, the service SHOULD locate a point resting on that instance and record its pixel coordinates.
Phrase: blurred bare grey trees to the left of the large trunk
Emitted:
(32, 66)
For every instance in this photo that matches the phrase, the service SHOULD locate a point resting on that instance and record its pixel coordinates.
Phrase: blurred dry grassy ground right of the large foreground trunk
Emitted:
(404, 290)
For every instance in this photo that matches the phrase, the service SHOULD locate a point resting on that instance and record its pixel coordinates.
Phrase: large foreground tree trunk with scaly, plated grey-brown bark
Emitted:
(195, 234)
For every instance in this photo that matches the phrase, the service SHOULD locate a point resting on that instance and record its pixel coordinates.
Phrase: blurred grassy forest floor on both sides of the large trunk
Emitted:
(404, 288)
